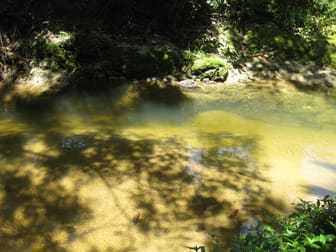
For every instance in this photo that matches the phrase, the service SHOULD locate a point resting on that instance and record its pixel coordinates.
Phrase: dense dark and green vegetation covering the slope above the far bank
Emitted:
(106, 39)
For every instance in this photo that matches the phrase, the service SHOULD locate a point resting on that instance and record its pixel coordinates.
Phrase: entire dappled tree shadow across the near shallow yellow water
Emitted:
(157, 186)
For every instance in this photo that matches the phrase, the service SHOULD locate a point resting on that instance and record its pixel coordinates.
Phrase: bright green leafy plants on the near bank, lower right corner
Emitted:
(311, 227)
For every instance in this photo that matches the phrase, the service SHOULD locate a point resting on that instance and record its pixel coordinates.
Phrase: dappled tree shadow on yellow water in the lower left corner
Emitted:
(36, 213)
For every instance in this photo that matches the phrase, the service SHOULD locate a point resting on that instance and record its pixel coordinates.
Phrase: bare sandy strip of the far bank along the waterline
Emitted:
(41, 81)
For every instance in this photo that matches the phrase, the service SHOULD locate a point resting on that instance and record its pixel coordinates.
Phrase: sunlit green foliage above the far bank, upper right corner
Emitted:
(302, 26)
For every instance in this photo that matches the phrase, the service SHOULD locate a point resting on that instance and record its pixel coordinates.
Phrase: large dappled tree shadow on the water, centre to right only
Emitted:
(174, 185)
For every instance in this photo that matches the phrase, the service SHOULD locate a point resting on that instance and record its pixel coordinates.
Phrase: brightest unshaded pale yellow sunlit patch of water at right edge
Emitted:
(284, 150)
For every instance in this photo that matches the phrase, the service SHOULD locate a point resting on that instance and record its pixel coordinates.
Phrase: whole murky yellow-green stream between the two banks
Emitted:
(152, 169)
